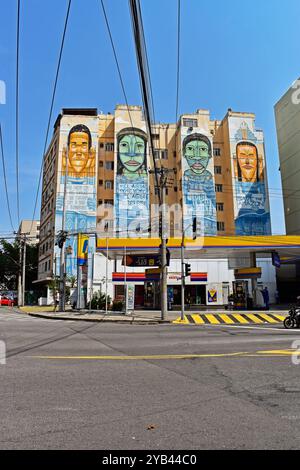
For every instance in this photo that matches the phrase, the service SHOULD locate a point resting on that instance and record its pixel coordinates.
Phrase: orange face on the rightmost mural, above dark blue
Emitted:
(247, 162)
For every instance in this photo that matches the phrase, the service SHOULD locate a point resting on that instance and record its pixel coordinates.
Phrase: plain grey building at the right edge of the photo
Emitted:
(287, 114)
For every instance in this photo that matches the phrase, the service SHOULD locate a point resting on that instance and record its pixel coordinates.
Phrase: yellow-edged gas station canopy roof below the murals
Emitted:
(221, 247)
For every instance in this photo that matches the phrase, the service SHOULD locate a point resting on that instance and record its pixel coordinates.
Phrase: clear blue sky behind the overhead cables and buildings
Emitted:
(234, 54)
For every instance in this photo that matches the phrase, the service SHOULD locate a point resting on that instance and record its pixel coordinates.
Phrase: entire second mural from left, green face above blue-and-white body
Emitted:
(131, 182)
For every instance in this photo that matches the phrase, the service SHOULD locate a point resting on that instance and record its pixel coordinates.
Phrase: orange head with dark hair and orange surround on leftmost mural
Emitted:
(81, 157)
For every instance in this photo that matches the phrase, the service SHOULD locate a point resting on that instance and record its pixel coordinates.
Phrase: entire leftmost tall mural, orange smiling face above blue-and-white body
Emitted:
(77, 185)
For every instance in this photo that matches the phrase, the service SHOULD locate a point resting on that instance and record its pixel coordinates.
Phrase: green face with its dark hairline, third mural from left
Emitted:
(197, 151)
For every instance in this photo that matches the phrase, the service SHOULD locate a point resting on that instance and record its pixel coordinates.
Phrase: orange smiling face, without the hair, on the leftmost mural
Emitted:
(78, 152)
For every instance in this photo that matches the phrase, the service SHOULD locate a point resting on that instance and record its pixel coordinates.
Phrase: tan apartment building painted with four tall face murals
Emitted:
(98, 176)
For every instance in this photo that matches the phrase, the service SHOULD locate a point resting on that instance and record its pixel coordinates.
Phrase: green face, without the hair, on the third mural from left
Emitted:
(197, 154)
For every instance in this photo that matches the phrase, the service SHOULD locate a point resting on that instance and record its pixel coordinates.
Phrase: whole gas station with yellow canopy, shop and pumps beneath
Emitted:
(242, 254)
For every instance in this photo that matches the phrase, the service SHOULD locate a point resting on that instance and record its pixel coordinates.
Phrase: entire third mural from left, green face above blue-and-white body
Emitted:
(198, 183)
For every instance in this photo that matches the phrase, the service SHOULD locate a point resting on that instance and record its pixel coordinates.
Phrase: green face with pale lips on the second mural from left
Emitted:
(132, 150)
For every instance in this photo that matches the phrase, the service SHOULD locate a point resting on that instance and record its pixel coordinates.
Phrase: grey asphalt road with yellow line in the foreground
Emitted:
(74, 385)
